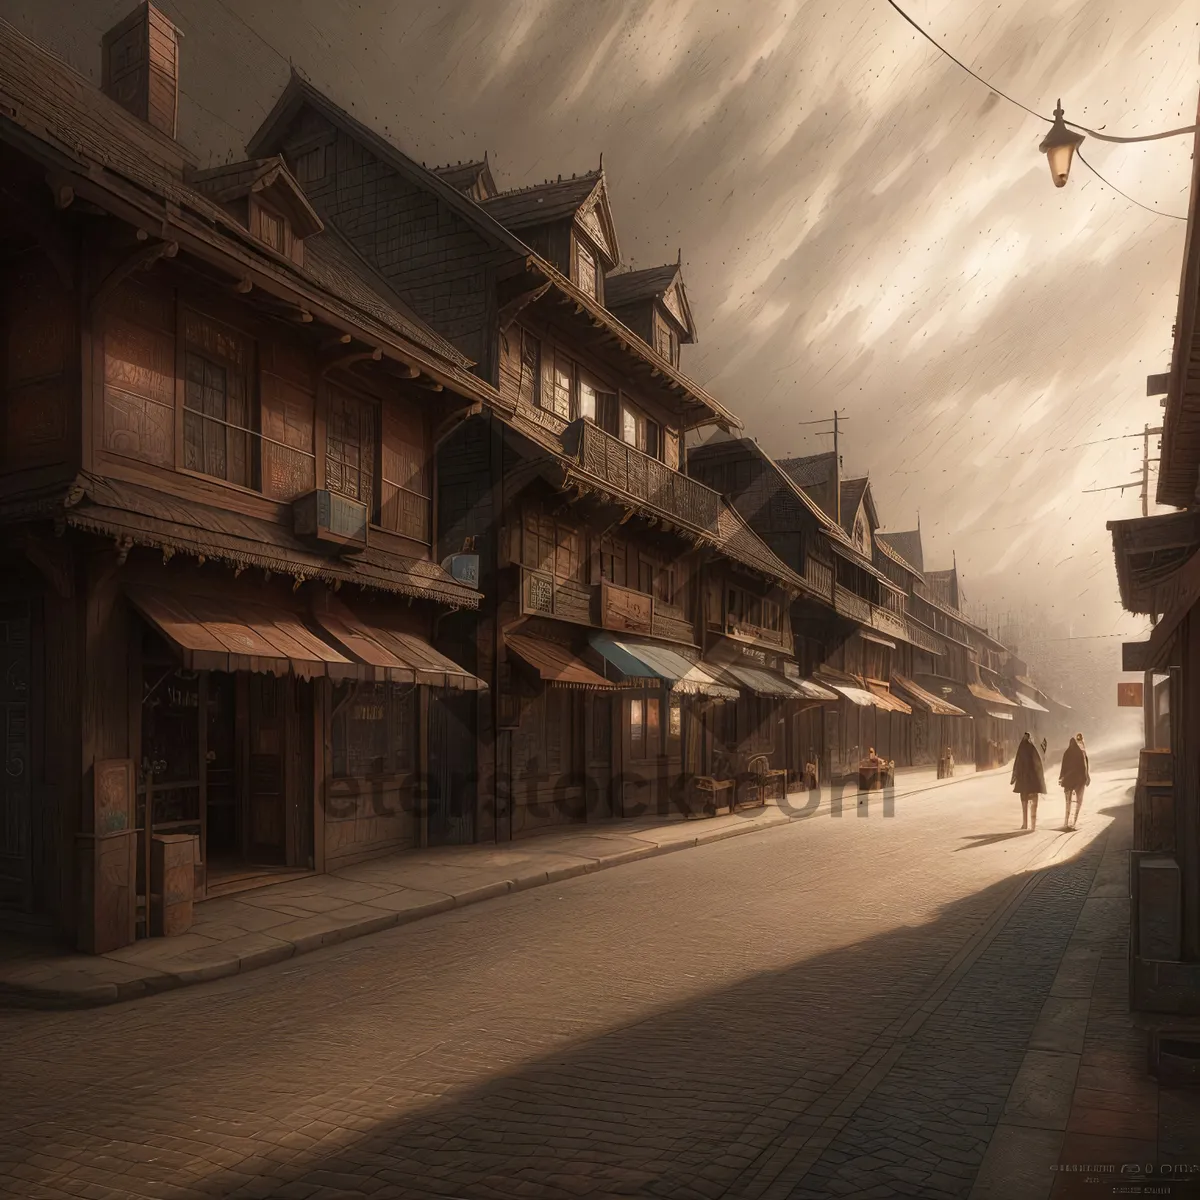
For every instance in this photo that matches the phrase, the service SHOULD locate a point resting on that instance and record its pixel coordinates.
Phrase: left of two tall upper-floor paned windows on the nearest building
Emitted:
(218, 433)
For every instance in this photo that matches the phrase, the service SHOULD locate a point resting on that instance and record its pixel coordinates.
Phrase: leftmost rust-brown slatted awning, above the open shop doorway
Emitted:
(237, 634)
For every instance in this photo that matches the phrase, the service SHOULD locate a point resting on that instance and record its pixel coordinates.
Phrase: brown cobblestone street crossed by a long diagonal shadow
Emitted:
(837, 1007)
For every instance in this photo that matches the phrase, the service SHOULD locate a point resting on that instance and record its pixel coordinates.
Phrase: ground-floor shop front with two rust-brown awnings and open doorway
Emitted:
(278, 736)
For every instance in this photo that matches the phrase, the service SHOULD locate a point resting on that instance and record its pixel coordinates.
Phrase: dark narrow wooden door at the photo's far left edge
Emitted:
(16, 848)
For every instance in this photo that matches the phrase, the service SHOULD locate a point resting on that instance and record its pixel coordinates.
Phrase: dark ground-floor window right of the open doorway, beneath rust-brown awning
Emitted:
(374, 730)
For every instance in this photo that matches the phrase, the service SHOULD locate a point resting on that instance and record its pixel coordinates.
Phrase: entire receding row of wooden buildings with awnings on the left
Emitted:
(316, 545)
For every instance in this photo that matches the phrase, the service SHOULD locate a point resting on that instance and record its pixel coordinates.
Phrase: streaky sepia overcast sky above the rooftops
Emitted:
(863, 226)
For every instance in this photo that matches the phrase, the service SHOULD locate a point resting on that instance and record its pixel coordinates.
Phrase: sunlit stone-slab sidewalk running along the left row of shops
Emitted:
(269, 925)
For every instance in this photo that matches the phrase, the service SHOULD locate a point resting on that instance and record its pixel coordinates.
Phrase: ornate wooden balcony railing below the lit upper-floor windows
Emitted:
(631, 473)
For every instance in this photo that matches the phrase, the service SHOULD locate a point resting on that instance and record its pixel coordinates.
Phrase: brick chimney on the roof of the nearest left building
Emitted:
(141, 68)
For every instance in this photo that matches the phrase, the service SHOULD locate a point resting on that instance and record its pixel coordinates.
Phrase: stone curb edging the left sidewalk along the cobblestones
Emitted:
(98, 995)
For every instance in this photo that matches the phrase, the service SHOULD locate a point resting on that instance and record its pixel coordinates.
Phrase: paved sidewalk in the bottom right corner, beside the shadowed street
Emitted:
(1084, 1105)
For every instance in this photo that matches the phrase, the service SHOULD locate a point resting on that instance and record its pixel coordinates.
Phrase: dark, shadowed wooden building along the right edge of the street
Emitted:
(1159, 571)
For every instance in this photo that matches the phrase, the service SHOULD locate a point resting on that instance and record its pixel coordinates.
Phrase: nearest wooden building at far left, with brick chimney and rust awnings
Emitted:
(219, 589)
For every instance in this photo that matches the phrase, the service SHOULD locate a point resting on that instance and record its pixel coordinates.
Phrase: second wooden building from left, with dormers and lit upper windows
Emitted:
(598, 553)
